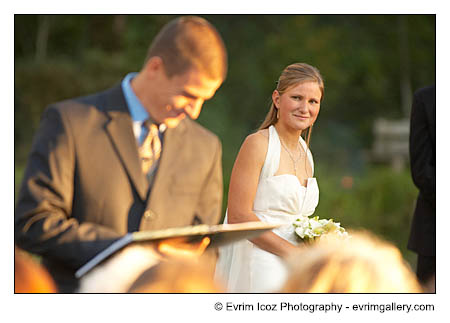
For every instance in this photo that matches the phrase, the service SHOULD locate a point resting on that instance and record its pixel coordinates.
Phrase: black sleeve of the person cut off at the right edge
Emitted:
(422, 148)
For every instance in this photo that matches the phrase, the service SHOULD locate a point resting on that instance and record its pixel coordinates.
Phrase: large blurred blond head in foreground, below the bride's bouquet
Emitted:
(359, 264)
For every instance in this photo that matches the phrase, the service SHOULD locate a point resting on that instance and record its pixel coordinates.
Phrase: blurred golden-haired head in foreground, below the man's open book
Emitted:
(176, 277)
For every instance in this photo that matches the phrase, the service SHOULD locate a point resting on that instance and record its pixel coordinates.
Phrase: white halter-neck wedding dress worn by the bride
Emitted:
(242, 267)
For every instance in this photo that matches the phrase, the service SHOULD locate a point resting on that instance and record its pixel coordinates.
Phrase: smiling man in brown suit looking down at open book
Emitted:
(93, 173)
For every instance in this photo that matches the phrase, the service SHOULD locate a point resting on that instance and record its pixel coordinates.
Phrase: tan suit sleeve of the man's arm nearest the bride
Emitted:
(210, 201)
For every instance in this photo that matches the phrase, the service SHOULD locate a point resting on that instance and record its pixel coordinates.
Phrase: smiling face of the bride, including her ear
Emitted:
(299, 105)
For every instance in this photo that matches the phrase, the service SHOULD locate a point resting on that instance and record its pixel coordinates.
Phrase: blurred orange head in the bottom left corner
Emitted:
(30, 276)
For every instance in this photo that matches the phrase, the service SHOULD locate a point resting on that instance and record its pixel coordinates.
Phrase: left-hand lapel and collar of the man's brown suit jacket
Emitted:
(120, 131)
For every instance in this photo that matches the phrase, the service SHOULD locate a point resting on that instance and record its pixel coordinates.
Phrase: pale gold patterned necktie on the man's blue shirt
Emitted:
(150, 149)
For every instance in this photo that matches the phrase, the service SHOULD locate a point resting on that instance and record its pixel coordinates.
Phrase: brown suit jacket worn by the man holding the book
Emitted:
(83, 187)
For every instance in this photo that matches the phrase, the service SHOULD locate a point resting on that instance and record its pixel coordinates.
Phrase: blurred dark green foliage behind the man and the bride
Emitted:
(364, 59)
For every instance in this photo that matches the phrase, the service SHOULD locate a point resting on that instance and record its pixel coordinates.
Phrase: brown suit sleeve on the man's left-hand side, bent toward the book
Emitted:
(43, 216)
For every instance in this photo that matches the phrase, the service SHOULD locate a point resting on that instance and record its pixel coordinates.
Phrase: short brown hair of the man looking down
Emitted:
(188, 42)
